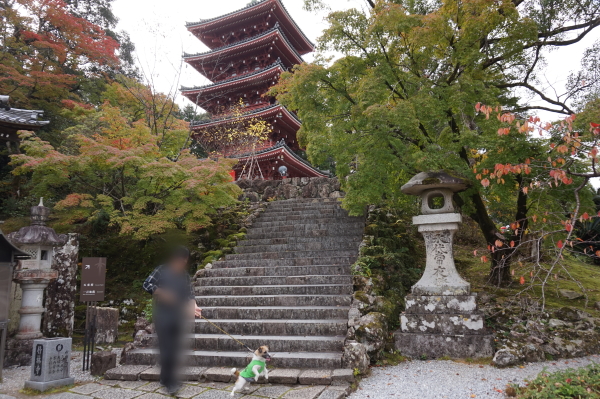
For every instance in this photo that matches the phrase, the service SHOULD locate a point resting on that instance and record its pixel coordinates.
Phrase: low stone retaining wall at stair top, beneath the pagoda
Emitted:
(296, 187)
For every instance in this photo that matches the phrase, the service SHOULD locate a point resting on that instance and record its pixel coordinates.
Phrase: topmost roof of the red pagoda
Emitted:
(256, 8)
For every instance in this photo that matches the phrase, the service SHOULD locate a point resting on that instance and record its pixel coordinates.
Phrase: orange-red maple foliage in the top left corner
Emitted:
(49, 50)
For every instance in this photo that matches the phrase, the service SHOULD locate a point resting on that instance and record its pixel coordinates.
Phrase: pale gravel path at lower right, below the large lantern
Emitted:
(447, 379)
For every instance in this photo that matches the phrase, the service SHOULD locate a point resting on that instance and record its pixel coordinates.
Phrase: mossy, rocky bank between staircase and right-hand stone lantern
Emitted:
(389, 263)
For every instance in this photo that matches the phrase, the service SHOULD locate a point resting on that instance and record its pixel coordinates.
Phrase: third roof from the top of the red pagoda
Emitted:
(236, 82)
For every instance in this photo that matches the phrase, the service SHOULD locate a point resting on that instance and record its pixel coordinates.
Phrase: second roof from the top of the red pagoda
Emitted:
(249, 44)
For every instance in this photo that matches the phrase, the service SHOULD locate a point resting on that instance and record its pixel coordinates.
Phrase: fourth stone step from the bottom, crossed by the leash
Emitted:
(307, 327)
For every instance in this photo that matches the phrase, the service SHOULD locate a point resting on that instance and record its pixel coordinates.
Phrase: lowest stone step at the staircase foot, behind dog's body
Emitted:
(334, 384)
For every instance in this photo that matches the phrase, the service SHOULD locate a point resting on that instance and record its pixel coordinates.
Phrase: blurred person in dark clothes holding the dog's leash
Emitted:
(174, 301)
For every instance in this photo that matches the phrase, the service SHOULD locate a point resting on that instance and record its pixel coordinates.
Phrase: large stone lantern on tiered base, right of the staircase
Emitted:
(441, 317)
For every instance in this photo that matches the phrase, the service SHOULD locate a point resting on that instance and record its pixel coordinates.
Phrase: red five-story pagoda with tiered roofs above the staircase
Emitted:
(249, 48)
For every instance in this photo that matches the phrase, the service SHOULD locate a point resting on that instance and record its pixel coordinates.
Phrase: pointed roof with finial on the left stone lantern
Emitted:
(38, 233)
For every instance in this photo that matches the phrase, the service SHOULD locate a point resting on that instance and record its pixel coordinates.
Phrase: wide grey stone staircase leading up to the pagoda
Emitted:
(288, 286)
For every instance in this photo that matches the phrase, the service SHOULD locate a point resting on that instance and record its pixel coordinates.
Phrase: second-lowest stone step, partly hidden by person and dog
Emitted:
(240, 359)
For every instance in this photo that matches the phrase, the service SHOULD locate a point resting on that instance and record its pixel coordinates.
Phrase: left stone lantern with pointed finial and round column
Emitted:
(35, 274)
